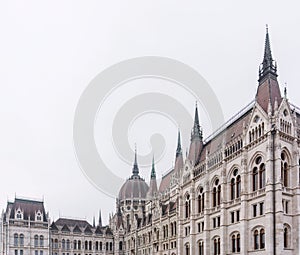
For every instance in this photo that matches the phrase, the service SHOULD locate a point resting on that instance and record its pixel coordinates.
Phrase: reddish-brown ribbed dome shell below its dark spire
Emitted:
(135, 188)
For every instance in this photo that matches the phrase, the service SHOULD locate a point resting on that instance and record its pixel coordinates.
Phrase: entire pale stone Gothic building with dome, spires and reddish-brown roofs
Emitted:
(237, 192)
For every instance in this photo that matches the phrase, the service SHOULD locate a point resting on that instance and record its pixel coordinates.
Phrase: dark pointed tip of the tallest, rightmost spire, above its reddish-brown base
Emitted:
(268, 65)
